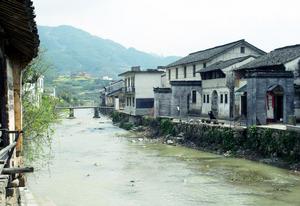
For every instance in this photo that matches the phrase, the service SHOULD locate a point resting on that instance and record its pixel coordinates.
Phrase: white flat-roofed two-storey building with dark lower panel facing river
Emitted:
(139, 84)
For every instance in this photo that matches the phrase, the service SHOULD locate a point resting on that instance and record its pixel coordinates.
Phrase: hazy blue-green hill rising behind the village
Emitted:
(73, 50)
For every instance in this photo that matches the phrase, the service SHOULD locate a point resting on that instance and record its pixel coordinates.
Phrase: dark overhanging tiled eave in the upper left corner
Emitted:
(17, 21)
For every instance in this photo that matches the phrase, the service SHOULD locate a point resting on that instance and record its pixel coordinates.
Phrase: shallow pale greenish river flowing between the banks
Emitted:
(96, 163)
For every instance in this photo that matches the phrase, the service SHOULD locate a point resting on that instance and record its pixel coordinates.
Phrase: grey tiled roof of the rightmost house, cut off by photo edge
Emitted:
(275, 58)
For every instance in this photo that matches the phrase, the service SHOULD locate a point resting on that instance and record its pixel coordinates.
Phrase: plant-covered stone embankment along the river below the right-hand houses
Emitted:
(280, 148)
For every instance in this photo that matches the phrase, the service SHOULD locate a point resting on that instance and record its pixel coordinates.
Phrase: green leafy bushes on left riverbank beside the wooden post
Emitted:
(39, 114)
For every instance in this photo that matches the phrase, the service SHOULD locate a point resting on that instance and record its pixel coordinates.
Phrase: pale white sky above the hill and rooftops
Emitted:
(178, 27)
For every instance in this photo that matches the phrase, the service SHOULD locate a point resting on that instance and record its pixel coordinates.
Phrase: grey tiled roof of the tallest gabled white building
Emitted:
(207, 54)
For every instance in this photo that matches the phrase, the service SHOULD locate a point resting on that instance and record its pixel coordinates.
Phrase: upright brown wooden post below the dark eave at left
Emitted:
(17, 79)
